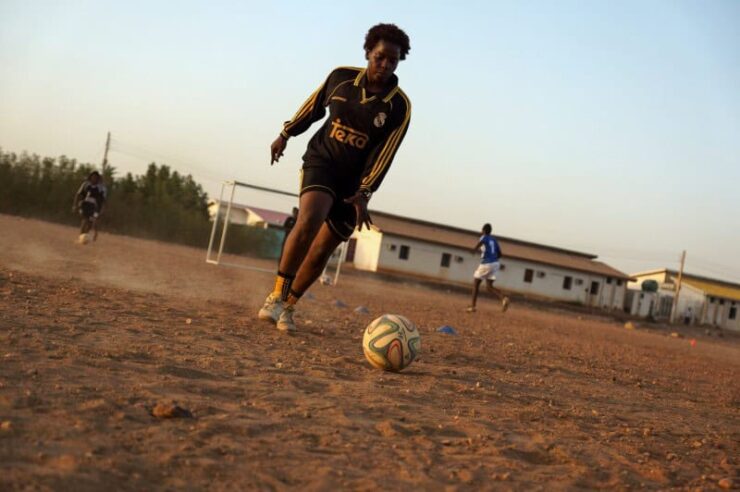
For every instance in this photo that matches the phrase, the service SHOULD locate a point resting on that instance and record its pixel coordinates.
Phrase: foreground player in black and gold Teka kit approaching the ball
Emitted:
(346, 160)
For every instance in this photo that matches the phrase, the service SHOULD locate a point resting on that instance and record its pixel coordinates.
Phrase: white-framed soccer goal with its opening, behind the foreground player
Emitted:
(248, 229)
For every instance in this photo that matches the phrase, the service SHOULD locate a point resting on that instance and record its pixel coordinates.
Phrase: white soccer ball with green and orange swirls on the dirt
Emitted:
(391, 342)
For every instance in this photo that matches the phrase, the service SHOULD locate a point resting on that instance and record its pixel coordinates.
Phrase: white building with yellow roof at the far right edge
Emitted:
(702, 300)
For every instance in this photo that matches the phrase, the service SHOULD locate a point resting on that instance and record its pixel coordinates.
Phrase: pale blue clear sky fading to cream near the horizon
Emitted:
(608, 127)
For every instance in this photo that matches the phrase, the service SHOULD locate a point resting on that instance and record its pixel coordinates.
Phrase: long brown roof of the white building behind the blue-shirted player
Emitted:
(512, 248)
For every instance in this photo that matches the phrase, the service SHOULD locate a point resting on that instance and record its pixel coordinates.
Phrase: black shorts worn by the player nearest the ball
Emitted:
(342, 216)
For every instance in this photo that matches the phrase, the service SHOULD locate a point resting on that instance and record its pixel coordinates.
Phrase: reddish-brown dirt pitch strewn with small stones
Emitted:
(93, 337)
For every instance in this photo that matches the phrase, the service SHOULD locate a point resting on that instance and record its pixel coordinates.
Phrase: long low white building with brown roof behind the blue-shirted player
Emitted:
(431, 251)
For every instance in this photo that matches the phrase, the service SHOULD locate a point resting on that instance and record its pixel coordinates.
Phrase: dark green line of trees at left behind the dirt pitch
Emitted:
(160, 204)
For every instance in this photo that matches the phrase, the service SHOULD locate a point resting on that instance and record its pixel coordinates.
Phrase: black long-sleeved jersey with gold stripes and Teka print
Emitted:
(363, 131)
